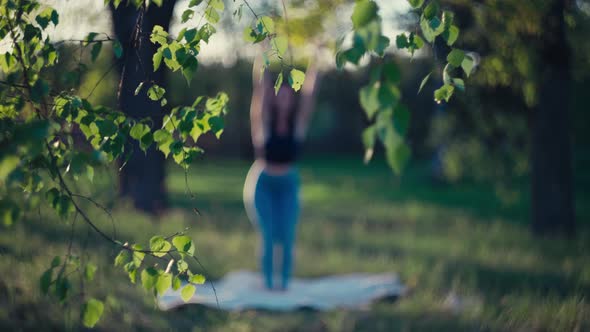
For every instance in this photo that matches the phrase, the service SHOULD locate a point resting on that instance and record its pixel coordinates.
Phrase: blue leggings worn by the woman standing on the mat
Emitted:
(272, 203)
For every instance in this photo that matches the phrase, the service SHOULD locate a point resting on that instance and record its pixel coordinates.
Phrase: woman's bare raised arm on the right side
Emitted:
(308, 97)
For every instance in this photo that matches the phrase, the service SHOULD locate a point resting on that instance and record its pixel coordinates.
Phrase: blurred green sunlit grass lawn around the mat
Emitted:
(468, 259)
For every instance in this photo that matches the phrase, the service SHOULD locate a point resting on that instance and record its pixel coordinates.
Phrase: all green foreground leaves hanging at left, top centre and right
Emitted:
(50, 137)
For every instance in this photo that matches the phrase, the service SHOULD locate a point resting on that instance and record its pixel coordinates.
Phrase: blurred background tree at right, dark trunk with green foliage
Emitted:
(513, 121)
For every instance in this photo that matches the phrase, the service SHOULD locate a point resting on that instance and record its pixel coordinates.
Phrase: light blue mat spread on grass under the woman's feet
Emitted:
(243, 290)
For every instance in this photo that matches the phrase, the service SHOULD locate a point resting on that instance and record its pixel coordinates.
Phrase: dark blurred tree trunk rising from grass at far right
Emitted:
(552, 191)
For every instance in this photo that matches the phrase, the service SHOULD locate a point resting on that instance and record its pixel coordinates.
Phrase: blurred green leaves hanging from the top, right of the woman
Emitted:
(381, 97)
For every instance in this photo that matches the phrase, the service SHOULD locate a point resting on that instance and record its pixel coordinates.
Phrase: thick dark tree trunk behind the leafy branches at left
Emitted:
(143, 177)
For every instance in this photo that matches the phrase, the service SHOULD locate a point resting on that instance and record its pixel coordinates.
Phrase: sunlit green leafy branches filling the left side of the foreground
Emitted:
(42, 150)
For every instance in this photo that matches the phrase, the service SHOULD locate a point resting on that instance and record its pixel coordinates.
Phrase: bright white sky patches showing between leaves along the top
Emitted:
(79, 17)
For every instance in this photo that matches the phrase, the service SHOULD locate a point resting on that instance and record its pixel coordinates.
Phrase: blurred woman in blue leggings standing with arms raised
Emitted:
(271, 192)
